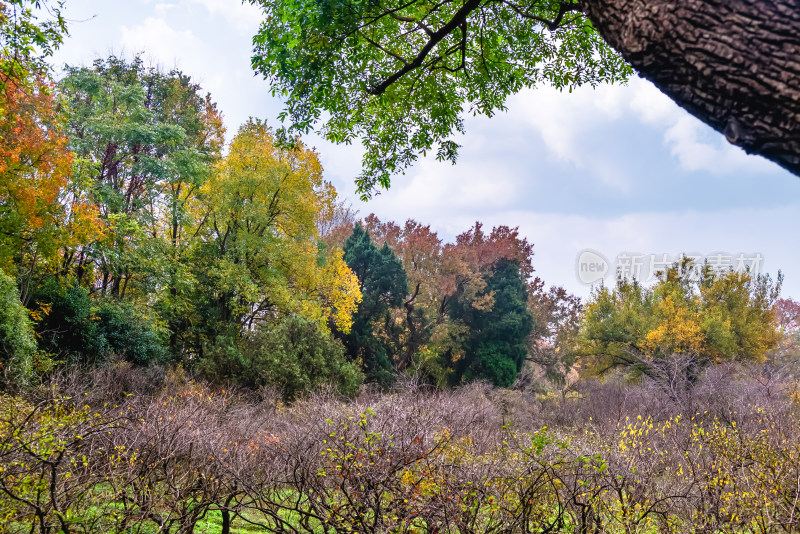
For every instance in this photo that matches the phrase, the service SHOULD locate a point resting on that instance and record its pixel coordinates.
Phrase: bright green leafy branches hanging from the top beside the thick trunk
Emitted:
(402, 74)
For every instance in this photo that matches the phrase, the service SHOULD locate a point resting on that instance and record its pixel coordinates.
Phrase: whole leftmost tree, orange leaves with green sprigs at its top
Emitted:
(37, 216)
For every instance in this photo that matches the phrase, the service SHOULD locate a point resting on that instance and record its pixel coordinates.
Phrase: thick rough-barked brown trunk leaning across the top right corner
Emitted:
(734, 64)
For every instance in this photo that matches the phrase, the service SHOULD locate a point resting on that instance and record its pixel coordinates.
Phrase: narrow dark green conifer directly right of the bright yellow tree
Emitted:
(383, 286)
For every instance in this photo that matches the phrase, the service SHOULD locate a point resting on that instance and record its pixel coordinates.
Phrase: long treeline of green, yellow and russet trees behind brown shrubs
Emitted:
(135, 233)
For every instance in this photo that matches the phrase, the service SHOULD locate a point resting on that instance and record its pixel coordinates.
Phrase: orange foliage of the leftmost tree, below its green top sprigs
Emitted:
(38, 215)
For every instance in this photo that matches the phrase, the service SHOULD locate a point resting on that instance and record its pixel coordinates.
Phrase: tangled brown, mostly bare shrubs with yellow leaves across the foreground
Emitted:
(120, 449)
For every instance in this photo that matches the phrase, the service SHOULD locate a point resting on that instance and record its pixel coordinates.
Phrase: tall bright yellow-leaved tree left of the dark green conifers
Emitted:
(261, 252)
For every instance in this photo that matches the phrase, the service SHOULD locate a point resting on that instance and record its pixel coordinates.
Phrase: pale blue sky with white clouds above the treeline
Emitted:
(613, 179)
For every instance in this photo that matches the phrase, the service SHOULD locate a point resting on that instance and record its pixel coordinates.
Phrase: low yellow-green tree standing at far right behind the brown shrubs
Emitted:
(691, 312)
